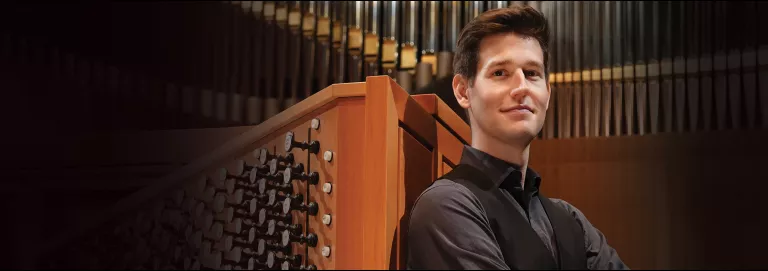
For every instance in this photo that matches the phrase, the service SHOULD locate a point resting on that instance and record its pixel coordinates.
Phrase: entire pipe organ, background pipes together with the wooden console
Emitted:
(340, 128)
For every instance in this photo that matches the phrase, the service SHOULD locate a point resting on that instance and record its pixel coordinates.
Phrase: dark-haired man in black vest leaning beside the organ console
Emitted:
(488, 213)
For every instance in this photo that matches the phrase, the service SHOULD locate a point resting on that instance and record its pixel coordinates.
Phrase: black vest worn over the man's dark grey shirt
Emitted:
(520, 245)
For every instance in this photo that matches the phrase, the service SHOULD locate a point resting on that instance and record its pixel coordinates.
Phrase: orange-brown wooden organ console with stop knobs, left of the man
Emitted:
(326, 184)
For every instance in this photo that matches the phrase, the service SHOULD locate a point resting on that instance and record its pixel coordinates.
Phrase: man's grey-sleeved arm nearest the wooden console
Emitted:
(449, 230)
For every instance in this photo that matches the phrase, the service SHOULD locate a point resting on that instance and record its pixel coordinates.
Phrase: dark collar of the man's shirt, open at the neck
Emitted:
(499, 171)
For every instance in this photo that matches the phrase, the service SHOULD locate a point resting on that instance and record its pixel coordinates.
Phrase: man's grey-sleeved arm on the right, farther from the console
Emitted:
(600, 255)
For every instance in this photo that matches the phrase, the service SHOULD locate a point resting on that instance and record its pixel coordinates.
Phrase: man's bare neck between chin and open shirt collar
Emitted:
(512, 153)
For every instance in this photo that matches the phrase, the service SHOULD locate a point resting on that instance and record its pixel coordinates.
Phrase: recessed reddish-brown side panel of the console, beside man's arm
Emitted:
(413, 179)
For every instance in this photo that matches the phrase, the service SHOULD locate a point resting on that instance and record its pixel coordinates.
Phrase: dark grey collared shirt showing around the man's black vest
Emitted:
(450, 230)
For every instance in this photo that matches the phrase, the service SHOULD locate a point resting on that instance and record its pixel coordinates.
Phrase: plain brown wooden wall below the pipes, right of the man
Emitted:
(652, 196)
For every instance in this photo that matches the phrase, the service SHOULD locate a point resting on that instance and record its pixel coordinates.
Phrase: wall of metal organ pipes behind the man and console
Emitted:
(616, 68)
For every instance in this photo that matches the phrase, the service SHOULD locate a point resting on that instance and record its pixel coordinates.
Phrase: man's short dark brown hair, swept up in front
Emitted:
(522, 20)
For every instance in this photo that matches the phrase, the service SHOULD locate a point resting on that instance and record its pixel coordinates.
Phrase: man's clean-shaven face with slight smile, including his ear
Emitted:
(509, 98)
